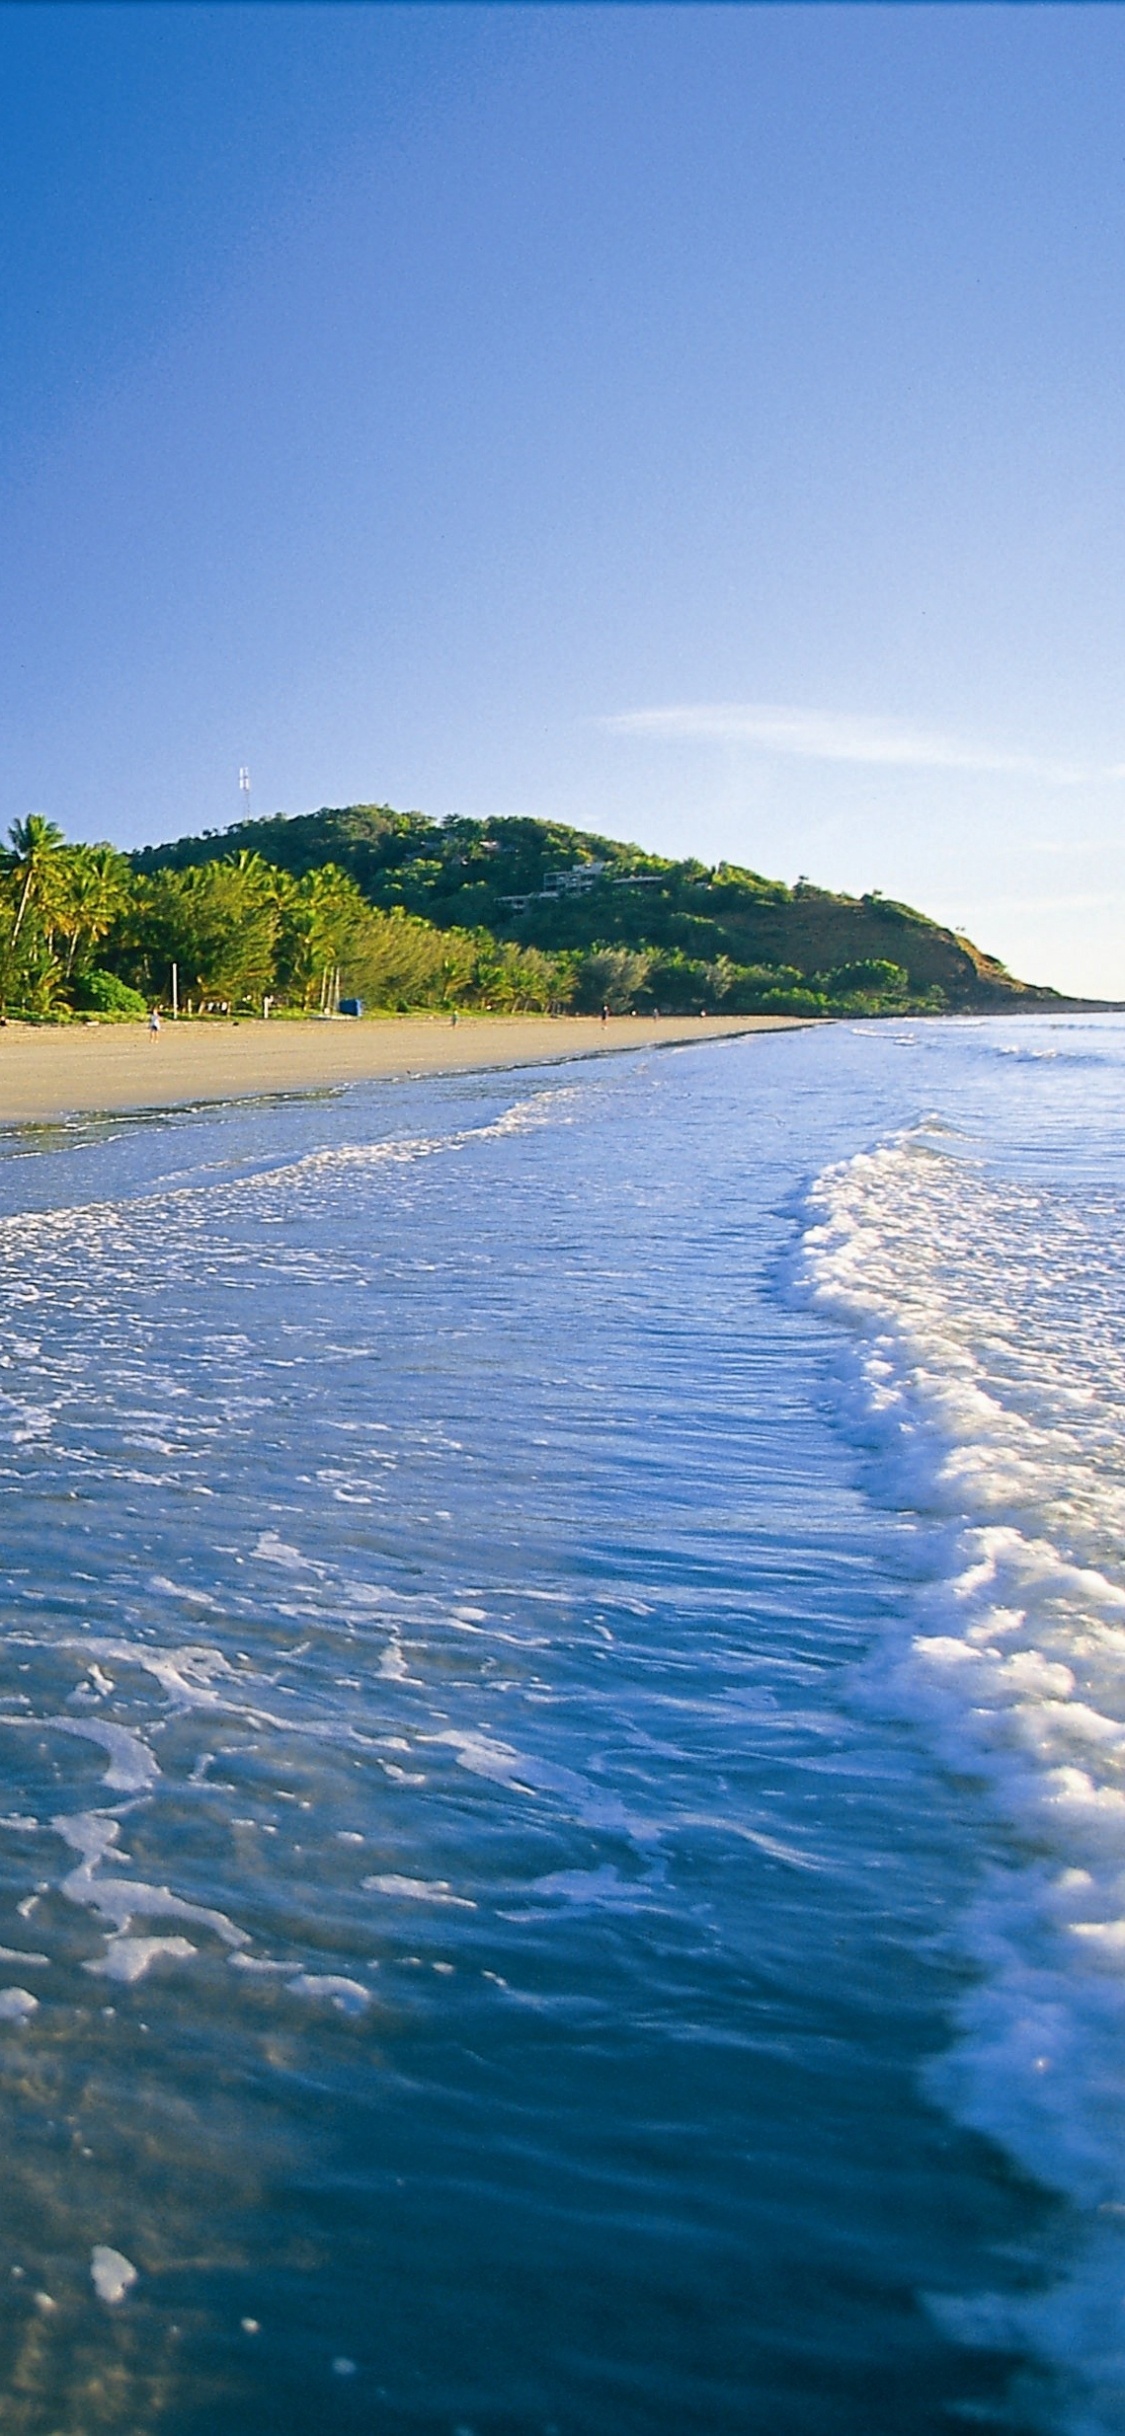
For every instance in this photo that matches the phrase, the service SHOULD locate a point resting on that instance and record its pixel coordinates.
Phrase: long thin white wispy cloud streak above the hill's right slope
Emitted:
(839, 737)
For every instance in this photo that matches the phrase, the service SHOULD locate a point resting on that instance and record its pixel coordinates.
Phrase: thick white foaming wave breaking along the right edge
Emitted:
(987, 1380)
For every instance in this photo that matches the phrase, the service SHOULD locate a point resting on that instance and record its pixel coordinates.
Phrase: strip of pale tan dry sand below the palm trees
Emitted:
(84, 1068)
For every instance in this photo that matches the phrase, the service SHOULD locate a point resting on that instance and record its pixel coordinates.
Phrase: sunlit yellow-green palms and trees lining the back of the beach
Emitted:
(86, 932)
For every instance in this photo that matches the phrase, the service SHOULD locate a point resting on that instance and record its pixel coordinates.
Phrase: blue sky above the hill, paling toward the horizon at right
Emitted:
(693, 423)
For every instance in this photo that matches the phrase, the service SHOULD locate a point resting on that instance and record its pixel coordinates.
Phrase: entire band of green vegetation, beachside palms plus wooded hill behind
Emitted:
(498, 915)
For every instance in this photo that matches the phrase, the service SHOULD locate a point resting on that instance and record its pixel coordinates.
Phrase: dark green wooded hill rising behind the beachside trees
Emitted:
(634, 924)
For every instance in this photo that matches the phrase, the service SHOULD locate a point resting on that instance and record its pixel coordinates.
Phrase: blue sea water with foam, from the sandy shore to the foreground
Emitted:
(564, 1750)
